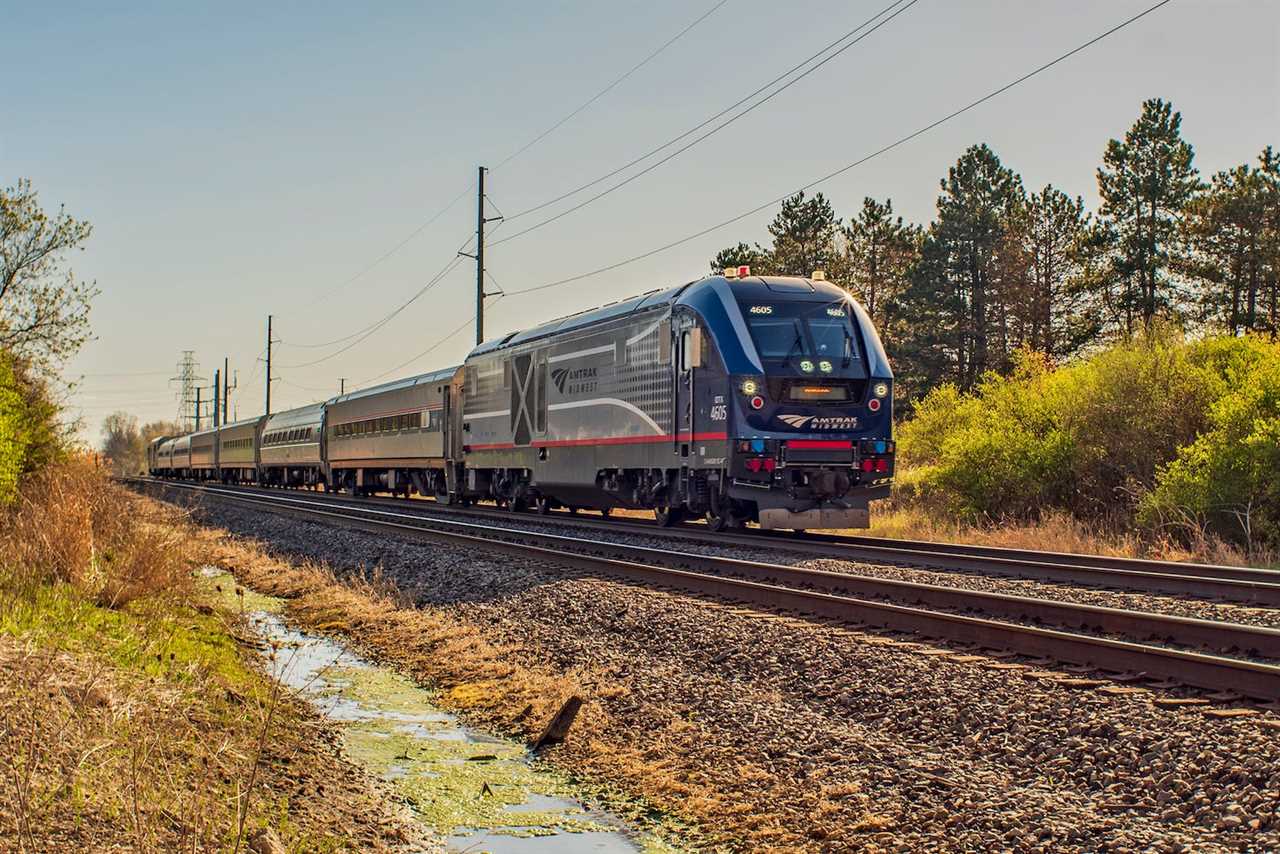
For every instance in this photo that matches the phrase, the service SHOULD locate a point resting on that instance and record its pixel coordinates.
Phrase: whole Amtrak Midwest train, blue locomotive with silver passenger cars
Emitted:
(737, 399)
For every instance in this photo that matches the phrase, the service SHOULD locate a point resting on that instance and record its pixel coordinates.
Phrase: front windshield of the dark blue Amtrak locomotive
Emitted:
(811, 339)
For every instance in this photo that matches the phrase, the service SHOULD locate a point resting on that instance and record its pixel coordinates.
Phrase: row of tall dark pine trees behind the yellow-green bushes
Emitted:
(1004, 270)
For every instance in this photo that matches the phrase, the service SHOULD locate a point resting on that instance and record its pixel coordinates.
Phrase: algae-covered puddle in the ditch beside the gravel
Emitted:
(483, 794)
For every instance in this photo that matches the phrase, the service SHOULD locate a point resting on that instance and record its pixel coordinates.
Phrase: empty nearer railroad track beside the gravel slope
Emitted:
(1209, 655)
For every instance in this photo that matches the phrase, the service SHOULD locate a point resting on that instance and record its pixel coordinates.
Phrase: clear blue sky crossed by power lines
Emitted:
(243, 159)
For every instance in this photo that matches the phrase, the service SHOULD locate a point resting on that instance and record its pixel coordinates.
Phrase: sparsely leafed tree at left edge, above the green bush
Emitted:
(44, 308)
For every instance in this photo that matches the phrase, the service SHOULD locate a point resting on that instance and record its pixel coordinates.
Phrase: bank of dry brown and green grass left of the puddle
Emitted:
(130, 715)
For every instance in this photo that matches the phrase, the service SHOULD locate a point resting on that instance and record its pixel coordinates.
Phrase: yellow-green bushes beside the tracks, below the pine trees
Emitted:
(1099, 436)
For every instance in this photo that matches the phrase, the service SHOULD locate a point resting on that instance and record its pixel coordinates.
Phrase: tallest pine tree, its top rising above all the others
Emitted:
(1146, 182)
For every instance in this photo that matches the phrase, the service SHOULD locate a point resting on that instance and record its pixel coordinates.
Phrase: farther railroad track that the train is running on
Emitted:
(1240, 584)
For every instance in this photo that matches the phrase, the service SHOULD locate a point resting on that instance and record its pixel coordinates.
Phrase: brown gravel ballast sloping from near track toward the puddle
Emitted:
(857, 741)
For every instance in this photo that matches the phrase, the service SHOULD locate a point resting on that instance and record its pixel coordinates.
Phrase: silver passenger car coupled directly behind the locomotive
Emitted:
(392, 437)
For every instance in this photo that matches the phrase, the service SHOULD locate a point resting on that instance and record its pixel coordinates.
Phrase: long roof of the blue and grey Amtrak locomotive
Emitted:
(753, 287)
